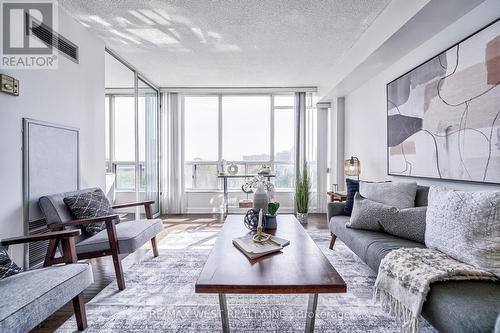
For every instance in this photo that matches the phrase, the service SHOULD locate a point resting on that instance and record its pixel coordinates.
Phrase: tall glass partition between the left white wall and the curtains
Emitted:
(132, 136)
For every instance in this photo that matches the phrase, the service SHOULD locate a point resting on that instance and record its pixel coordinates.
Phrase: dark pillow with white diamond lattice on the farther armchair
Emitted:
(87, 205)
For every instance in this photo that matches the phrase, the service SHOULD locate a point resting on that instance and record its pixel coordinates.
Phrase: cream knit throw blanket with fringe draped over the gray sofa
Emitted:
(404, 279)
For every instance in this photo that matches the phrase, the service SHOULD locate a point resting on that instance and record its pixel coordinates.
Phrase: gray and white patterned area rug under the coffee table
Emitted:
(160, 296)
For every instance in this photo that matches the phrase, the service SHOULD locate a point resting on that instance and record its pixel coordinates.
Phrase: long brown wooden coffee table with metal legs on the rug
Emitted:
(301, 268)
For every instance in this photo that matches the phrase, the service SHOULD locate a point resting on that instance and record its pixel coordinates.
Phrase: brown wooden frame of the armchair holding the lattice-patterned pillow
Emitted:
(114, 249)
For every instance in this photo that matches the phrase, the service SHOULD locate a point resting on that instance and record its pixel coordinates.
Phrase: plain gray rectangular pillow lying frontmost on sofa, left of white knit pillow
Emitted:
(408, 223)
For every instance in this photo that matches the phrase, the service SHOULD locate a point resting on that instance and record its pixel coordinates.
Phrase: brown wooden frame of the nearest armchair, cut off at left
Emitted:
(69, 257)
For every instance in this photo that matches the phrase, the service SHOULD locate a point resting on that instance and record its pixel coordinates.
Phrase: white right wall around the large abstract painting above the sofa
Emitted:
(365, 109)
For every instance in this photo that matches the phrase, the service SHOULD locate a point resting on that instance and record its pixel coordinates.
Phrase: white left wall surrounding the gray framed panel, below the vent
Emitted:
(72, 95)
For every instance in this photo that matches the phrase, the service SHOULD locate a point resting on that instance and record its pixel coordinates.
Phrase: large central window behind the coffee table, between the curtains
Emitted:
(247, 130)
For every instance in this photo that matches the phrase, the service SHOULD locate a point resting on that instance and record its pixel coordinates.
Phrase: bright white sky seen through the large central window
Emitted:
(246, 122)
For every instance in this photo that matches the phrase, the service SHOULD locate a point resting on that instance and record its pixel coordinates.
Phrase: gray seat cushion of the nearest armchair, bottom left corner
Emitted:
(34, 295)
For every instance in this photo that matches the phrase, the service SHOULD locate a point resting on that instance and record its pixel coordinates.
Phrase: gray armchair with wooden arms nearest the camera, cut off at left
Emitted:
(30, 297)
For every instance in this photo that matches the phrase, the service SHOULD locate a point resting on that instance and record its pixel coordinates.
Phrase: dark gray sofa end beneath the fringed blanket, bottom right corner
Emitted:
(463, 306)
